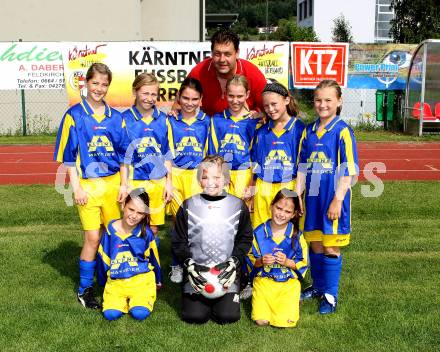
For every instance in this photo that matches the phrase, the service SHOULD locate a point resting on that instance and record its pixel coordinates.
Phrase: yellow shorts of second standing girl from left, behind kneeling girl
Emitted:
(155, 189)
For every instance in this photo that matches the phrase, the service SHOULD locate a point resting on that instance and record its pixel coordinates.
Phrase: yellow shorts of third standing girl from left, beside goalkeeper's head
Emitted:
(185, 185)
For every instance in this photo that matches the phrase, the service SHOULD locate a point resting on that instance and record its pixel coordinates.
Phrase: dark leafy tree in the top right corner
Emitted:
(415, 20)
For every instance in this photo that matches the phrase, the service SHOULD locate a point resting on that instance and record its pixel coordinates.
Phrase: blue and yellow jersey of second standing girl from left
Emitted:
(148, 148)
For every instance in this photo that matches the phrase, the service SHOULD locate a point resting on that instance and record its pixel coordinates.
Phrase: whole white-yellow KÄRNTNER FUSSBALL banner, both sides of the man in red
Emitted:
(169, 61)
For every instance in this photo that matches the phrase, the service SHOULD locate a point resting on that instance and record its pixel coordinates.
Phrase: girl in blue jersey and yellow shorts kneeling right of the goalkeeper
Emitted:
(279, 257)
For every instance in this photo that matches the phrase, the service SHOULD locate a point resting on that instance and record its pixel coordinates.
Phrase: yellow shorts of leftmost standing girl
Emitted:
(102, 205)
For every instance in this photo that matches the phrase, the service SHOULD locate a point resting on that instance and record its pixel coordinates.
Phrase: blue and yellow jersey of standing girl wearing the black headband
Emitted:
(274, 152)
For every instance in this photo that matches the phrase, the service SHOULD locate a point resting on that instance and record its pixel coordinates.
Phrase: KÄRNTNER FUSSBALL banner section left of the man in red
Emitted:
(170, 62)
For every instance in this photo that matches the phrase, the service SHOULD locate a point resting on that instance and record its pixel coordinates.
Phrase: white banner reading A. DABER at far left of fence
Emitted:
(31, 65)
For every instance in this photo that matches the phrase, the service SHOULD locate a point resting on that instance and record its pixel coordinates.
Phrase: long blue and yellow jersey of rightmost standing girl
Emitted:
(324, 158)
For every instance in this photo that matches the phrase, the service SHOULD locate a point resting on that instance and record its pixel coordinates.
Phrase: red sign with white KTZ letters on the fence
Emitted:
(313, 62)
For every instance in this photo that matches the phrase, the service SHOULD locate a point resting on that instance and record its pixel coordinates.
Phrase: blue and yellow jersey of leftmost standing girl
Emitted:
(95, 144)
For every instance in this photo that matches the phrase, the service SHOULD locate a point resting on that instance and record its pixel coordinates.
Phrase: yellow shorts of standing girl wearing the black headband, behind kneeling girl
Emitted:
(264, 194)
